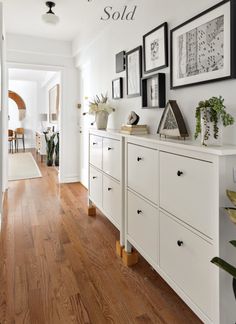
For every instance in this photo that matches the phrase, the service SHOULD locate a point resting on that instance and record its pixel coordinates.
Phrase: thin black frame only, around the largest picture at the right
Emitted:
(232, 44)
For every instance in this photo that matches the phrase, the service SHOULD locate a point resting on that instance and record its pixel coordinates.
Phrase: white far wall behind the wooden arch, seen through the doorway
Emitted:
(28, 91)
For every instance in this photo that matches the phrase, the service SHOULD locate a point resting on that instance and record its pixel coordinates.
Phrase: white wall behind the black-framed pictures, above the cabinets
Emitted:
(96, 63)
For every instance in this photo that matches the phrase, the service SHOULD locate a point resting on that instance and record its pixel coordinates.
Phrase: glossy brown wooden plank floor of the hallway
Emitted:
(57, 265)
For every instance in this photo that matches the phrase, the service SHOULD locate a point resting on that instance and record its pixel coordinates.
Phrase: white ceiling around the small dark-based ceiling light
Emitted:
(76, 17)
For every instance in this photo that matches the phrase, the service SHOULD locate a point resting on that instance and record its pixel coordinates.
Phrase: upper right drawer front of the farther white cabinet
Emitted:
(111, 157)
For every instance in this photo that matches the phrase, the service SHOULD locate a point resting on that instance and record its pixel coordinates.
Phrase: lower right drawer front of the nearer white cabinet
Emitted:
(188, 265)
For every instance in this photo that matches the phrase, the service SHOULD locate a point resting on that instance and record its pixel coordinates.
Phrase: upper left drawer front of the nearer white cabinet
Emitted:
(143, 171)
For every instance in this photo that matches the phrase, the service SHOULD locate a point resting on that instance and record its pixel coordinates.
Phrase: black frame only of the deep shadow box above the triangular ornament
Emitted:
(161, 90)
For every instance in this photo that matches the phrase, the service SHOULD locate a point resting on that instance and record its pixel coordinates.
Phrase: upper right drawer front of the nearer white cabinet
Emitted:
(187, 190)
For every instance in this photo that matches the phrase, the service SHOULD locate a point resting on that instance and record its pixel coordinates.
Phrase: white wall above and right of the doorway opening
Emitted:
(32, 52)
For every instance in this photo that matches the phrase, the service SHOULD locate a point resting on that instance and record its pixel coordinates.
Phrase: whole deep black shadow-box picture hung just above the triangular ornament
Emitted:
(154, 91)
